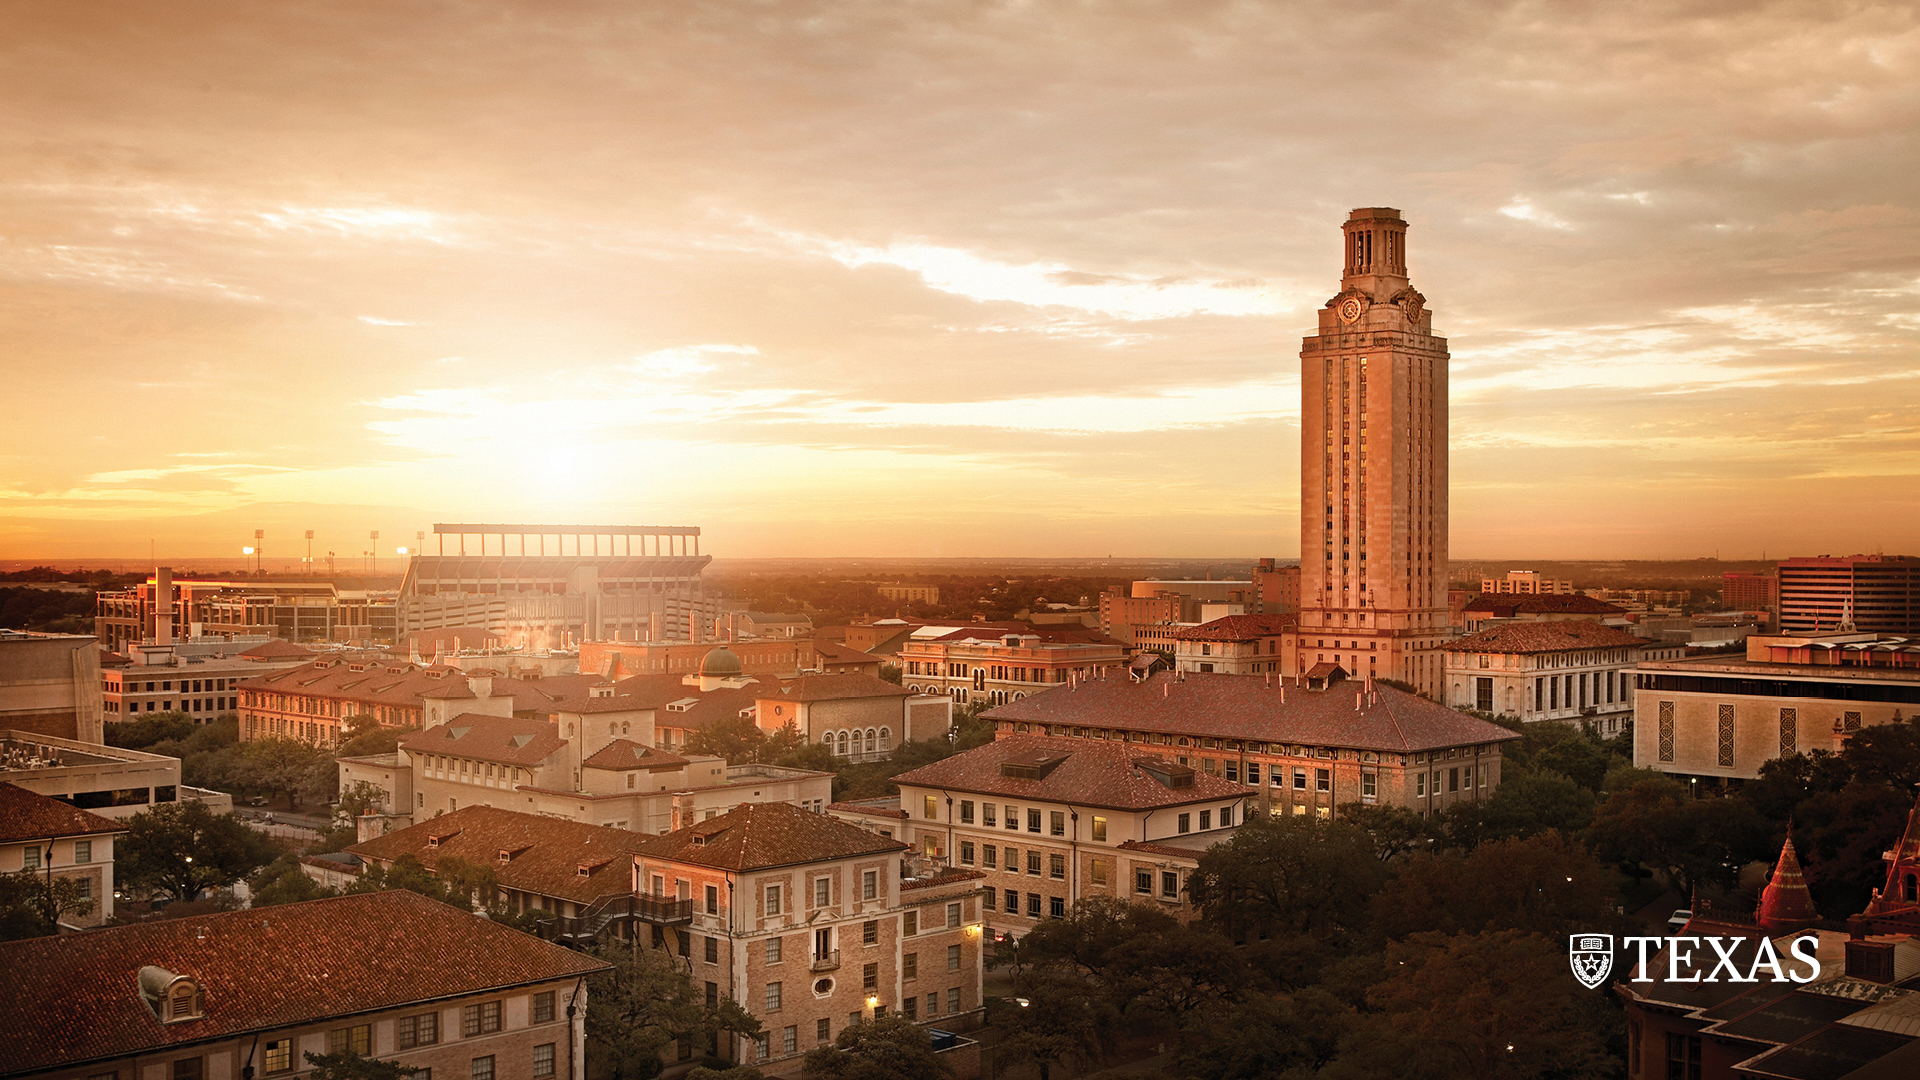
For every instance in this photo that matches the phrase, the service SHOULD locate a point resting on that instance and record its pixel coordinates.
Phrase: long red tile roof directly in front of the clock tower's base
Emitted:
(1257, 710)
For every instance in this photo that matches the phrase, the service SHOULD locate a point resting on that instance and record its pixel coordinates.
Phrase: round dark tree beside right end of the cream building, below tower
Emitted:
(1295, 875)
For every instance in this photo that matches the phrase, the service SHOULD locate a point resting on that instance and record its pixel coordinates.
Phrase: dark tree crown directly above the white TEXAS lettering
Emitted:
(1689, 841)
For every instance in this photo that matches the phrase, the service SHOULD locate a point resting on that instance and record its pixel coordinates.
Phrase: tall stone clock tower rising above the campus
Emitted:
(1374, 470)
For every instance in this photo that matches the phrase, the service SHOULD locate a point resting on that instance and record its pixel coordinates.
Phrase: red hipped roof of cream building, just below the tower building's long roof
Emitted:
(1090, 773)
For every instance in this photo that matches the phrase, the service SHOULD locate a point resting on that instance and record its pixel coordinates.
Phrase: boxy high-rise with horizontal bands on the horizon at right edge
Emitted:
(1867, 593)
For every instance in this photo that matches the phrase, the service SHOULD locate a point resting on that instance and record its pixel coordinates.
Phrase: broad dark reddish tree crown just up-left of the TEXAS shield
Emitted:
(1541, 885)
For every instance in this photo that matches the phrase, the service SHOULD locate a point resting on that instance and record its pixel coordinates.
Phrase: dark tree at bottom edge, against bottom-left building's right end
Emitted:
(644, 1004)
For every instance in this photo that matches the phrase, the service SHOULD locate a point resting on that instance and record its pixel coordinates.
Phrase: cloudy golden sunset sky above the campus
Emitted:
(946, 280)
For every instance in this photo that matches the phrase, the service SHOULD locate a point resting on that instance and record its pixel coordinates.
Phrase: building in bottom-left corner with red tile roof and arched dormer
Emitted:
(249, 994)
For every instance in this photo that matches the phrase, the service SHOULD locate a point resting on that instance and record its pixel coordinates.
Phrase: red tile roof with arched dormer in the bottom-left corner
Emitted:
(76, 998)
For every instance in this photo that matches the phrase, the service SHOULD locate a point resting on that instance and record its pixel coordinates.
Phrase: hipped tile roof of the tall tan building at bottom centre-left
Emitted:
(756, 837)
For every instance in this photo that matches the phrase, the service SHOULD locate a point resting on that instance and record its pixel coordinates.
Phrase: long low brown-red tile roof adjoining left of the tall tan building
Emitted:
(548, 852)
